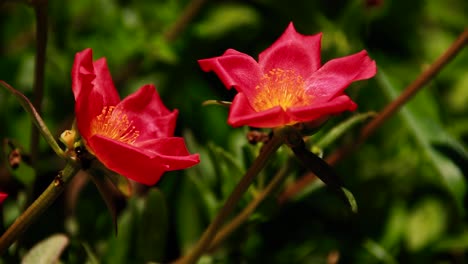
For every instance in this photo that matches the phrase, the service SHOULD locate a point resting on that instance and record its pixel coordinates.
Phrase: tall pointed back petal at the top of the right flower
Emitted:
(293, 51)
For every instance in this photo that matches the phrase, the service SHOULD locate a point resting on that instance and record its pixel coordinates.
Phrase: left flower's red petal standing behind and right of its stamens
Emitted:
(148, 113)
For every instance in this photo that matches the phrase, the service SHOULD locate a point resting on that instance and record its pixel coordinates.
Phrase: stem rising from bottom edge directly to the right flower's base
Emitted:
(268, 150)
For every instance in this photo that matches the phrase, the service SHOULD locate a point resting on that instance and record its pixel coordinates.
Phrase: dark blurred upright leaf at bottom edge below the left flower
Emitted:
(152, 228)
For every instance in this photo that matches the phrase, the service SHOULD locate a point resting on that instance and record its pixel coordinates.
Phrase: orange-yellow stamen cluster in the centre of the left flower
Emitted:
(113, 123)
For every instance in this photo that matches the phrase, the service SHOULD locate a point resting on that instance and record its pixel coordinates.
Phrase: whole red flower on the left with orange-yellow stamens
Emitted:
(132, 137)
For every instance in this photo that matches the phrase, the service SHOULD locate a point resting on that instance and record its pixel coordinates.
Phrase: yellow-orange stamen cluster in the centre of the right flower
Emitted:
(283, 88)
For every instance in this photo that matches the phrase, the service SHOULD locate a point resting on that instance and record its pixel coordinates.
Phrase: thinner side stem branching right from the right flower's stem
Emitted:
(245, 214)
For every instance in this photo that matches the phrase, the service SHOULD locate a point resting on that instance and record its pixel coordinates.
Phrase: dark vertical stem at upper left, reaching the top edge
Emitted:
(40, 8)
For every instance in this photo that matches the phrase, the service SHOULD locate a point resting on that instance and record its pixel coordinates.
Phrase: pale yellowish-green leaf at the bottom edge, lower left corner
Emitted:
(47, 251)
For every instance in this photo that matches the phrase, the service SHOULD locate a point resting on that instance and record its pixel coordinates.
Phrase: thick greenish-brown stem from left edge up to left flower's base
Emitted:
(38, 206)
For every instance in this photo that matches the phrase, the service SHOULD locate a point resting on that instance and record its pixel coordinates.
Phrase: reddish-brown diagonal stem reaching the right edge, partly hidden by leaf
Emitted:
(385, 114)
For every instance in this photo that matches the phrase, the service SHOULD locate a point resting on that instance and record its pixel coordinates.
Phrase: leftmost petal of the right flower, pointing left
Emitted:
(235, 69)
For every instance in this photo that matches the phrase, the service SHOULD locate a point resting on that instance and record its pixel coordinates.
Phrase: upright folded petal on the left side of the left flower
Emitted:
(93, 89)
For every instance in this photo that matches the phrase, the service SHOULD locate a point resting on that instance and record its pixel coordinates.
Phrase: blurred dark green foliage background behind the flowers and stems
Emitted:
(409, 179)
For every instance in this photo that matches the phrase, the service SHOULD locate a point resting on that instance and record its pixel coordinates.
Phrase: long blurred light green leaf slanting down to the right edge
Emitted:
(415, 117)
